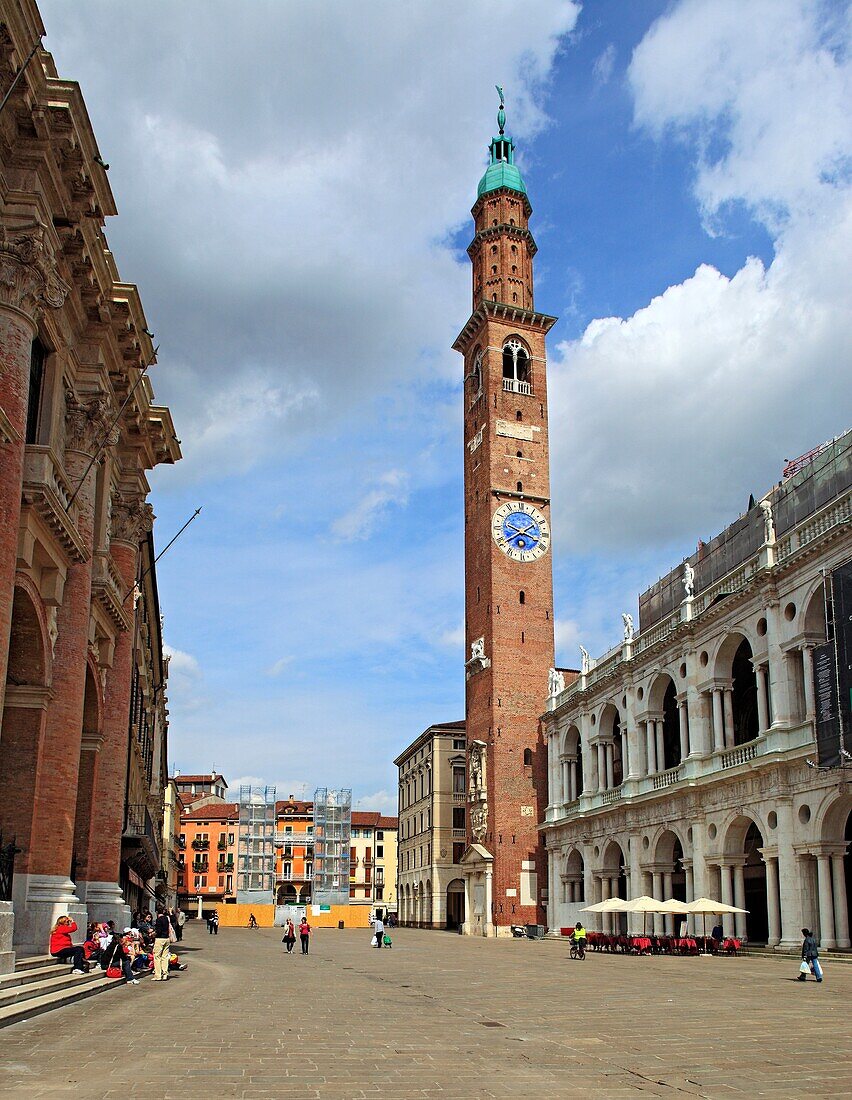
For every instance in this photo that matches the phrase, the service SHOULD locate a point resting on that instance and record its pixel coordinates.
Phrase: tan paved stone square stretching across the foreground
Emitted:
(441, 1017)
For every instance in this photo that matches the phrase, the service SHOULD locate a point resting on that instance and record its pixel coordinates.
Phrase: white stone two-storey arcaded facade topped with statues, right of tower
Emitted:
(682, 764)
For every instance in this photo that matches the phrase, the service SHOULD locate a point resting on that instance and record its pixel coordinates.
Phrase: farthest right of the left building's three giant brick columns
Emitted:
(131, 520)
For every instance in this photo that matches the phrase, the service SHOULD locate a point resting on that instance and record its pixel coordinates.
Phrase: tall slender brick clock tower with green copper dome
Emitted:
(508, 576)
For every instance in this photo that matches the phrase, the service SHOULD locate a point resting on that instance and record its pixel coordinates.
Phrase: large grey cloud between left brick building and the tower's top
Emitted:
(287, 224)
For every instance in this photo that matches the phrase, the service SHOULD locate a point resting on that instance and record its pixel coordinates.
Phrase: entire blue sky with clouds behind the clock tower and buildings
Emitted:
(294, 185)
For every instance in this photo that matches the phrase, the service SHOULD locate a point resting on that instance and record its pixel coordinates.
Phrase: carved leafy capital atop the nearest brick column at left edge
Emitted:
(29, 278)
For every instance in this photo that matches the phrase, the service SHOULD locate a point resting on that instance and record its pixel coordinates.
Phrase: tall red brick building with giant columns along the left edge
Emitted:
(83, 729)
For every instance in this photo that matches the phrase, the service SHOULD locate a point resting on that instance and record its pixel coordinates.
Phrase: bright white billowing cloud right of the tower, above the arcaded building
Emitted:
(663, 421)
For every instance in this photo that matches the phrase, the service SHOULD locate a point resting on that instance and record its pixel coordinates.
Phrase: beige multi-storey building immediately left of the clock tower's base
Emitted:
(433, 828)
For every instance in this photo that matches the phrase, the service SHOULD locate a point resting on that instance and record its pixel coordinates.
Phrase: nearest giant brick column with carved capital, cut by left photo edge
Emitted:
(29, 282)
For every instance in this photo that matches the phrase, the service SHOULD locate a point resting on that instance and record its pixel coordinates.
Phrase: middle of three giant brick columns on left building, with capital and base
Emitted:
(50, 892)
